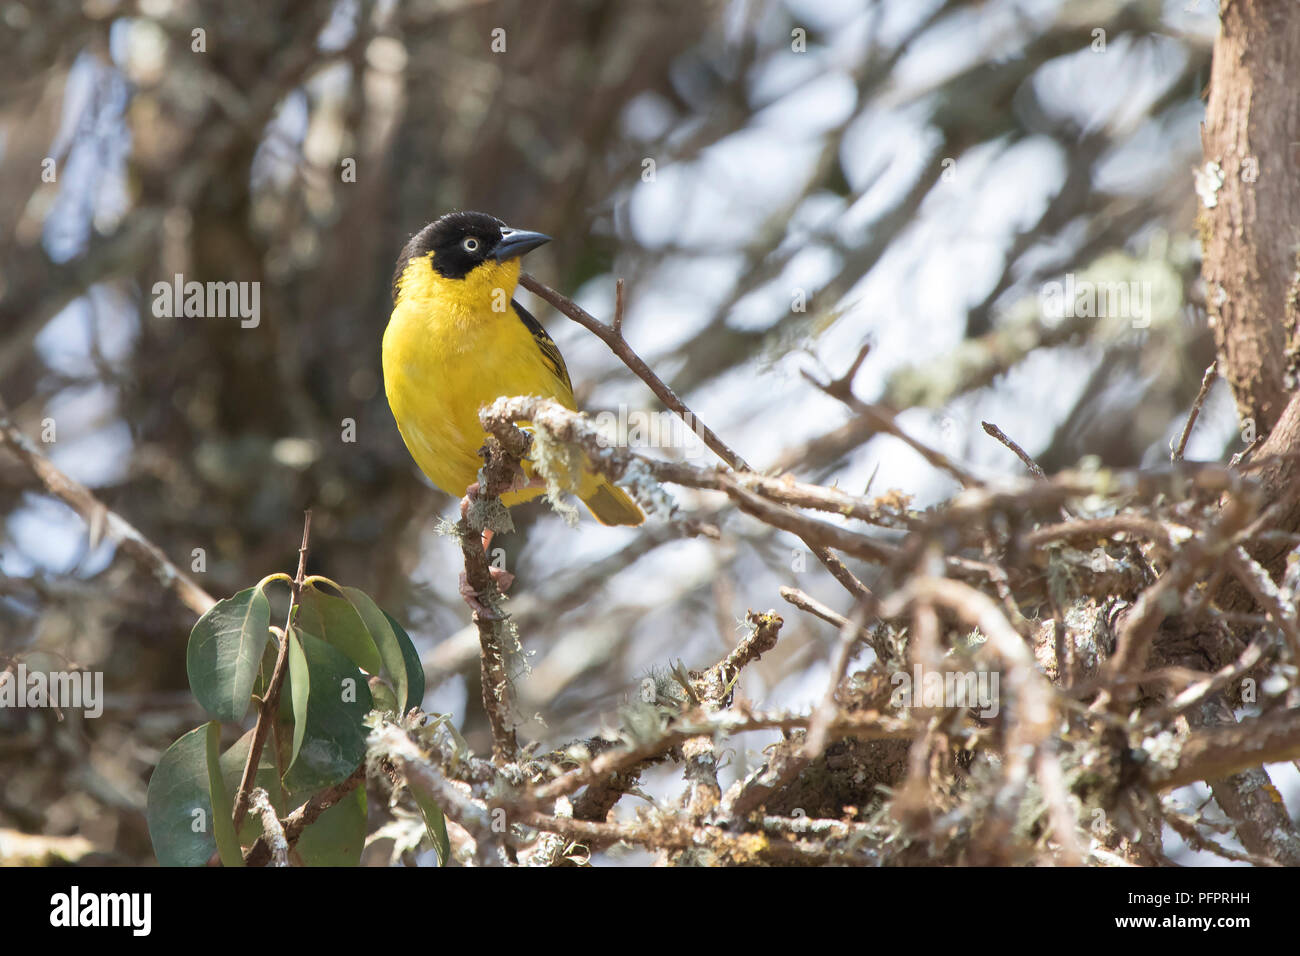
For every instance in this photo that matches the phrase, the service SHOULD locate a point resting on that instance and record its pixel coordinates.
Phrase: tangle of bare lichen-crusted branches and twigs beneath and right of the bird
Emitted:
(1046, 660)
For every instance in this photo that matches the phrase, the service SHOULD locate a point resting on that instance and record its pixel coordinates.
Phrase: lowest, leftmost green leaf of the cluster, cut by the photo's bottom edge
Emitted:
(179, 807)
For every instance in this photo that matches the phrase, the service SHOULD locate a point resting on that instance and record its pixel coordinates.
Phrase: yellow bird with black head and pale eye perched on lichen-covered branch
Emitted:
(457, 341)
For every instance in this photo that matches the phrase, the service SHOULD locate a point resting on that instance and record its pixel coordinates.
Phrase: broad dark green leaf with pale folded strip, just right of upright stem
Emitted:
(331, 698)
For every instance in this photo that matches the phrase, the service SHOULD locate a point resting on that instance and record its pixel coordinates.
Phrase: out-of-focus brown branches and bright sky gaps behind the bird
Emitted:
(916, 172)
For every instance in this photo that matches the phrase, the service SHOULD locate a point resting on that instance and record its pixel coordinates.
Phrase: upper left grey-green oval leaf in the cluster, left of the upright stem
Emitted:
(226, 654)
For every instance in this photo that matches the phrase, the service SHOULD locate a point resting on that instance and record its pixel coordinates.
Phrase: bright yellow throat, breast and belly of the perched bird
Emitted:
(452, 347)
